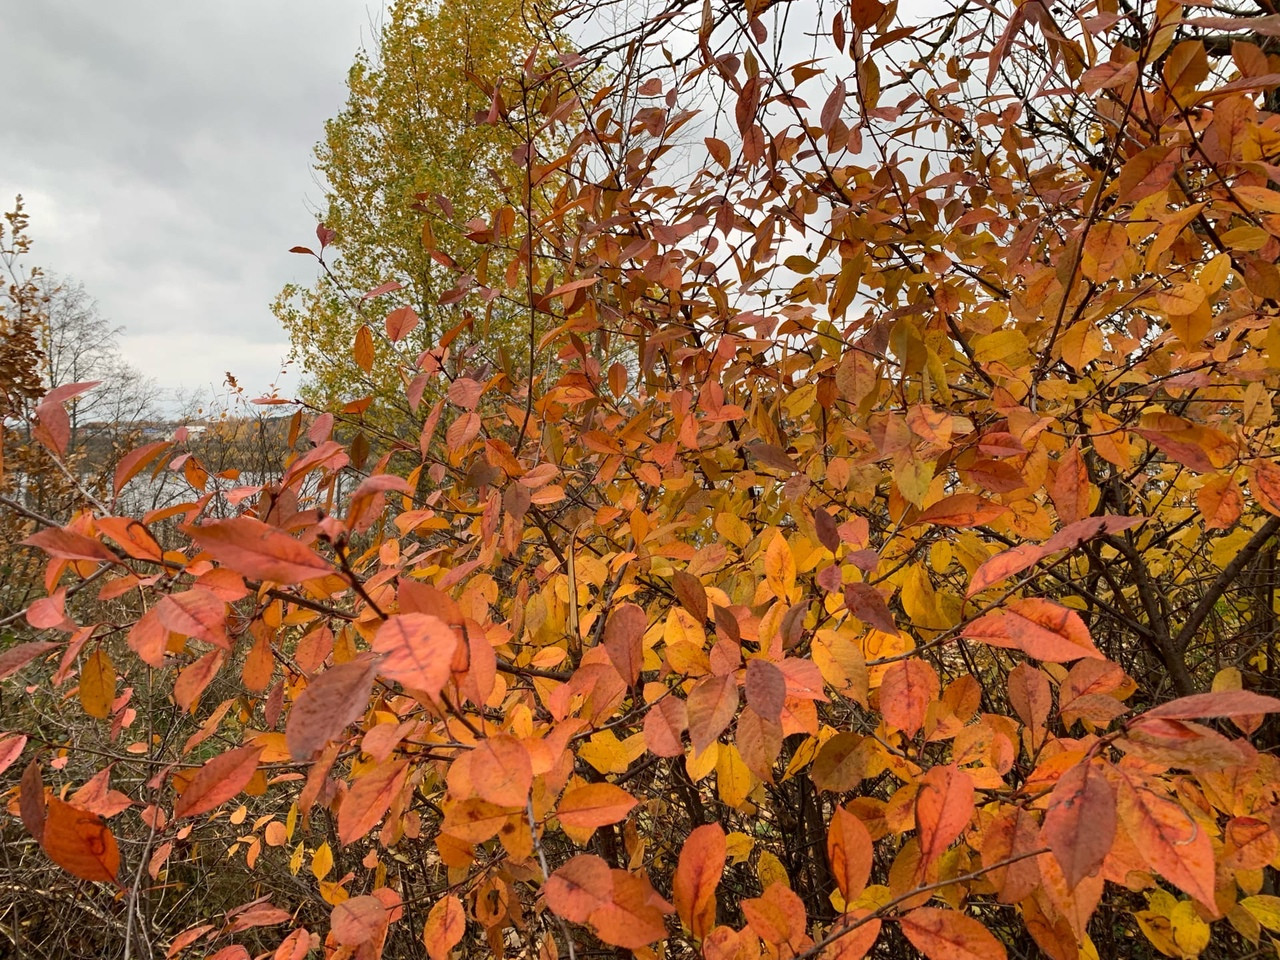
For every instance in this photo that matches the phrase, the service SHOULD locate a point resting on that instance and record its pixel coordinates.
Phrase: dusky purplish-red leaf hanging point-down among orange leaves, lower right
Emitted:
(1081, 822)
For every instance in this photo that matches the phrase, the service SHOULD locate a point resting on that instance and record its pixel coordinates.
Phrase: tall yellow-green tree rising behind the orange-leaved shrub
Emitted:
(405, 167)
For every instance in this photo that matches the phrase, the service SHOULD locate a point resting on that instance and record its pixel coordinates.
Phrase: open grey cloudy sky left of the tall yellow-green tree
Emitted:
(164, 152)
